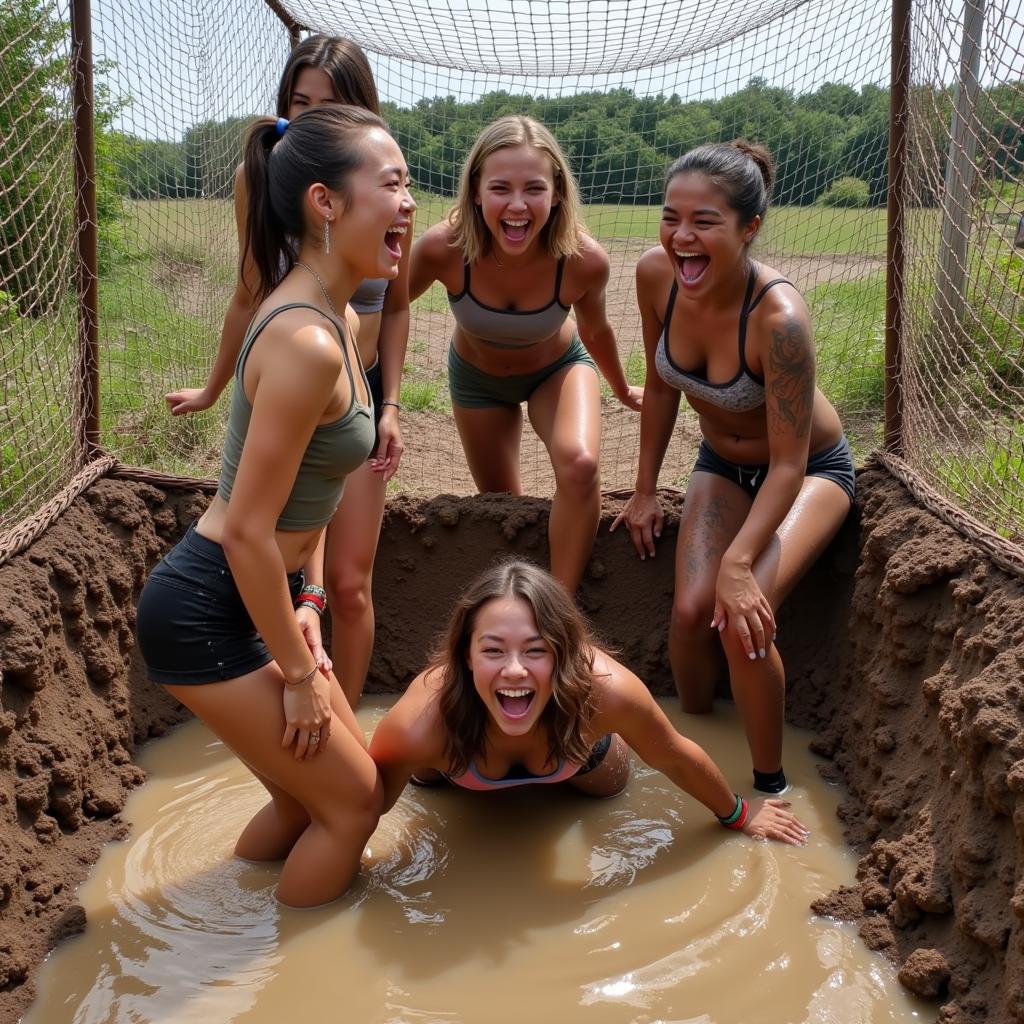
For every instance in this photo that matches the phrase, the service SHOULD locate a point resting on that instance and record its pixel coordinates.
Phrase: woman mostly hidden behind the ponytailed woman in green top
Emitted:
(331, 70)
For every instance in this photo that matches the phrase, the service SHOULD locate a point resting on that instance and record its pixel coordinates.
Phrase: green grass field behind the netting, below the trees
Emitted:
(162, 306)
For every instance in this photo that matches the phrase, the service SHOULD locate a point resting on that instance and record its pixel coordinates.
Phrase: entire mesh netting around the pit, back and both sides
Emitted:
(626, 88)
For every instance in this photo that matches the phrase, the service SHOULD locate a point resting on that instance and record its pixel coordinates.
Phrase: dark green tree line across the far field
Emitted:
(620, 144)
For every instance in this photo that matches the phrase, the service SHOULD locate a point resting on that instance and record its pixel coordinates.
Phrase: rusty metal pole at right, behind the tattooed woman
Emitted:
(895, 278)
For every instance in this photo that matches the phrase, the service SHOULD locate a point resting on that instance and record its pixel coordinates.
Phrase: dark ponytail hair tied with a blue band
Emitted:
(321, 146)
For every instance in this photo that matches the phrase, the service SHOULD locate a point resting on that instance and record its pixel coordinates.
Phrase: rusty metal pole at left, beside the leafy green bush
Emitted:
(87, 234)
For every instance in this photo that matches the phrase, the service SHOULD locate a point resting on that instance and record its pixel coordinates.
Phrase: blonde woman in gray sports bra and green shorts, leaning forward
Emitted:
(515, 259)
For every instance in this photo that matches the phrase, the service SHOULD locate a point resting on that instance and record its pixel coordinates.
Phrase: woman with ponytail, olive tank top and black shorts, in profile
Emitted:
(328, 208)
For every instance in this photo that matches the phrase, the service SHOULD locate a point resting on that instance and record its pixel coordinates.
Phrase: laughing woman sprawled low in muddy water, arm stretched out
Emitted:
(523, 694)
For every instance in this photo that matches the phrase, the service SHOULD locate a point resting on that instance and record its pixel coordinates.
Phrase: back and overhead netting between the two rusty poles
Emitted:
(625, 88)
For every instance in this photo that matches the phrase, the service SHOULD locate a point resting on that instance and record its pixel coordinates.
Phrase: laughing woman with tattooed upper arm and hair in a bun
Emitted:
(774, 481)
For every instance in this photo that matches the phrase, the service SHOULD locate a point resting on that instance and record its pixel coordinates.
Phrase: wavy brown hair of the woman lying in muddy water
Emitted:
(567, 633)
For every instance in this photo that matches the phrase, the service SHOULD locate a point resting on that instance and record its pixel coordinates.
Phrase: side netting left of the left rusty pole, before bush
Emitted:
(38, 304)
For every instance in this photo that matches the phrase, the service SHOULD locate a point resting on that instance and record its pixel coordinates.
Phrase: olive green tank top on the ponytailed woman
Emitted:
(334, 451)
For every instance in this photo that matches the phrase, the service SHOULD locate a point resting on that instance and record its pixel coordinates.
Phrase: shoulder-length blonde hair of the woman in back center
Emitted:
(564, 232)
